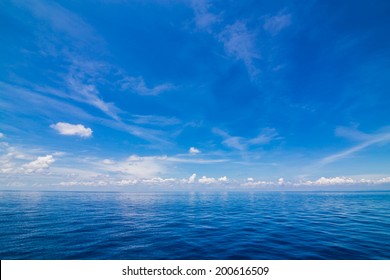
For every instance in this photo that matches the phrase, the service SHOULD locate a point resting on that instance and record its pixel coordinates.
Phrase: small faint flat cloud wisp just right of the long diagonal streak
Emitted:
(138, 85)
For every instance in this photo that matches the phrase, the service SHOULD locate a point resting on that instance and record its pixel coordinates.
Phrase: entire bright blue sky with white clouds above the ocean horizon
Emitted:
(165, 94)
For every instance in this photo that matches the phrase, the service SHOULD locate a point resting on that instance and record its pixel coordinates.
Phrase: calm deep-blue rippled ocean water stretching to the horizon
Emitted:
(195, 225)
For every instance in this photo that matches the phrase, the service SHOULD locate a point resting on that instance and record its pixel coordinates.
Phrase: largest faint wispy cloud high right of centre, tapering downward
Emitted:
(240, 43)
